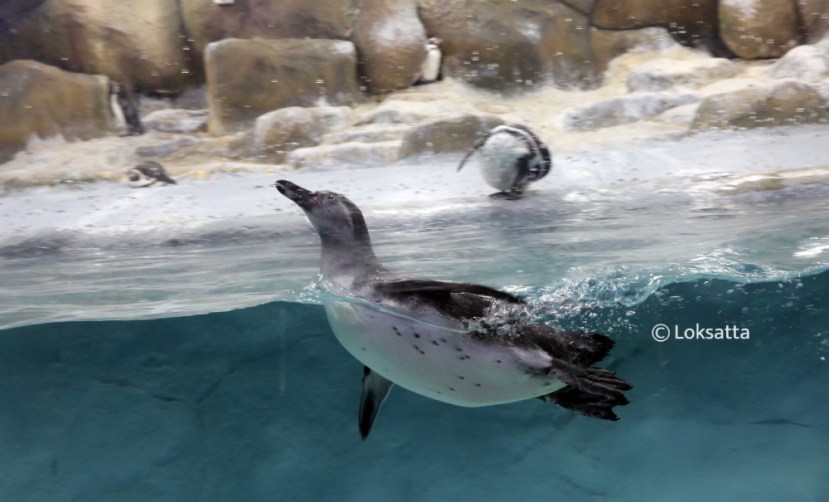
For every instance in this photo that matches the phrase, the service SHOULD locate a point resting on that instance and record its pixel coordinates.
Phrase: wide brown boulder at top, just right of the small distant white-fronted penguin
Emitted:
(512, 46)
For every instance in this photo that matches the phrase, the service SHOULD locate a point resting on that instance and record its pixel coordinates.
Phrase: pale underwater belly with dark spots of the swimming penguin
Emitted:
(434, 359)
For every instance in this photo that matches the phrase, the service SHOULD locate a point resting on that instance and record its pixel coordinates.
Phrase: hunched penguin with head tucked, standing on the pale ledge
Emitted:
(511, 157)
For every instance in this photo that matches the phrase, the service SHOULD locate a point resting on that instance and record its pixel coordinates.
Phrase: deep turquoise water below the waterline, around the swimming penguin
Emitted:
(261, 404)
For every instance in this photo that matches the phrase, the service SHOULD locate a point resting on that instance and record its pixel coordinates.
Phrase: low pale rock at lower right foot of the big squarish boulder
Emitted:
(281, 131)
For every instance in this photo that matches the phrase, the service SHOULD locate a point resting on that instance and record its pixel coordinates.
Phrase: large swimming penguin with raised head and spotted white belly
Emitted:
(459, 343)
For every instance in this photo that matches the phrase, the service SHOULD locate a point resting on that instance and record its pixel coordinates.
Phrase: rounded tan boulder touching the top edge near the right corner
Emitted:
(755, 29)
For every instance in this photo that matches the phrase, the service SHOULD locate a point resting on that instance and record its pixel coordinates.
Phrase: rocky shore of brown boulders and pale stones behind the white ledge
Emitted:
(317, 84)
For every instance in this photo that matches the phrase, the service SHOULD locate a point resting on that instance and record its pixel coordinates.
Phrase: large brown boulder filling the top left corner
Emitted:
(137, 43)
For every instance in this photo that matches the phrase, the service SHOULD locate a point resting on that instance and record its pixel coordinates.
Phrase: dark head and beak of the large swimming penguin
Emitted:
(333, 215)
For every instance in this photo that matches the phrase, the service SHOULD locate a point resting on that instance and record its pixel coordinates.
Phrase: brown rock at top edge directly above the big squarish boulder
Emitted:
(206, 22)
